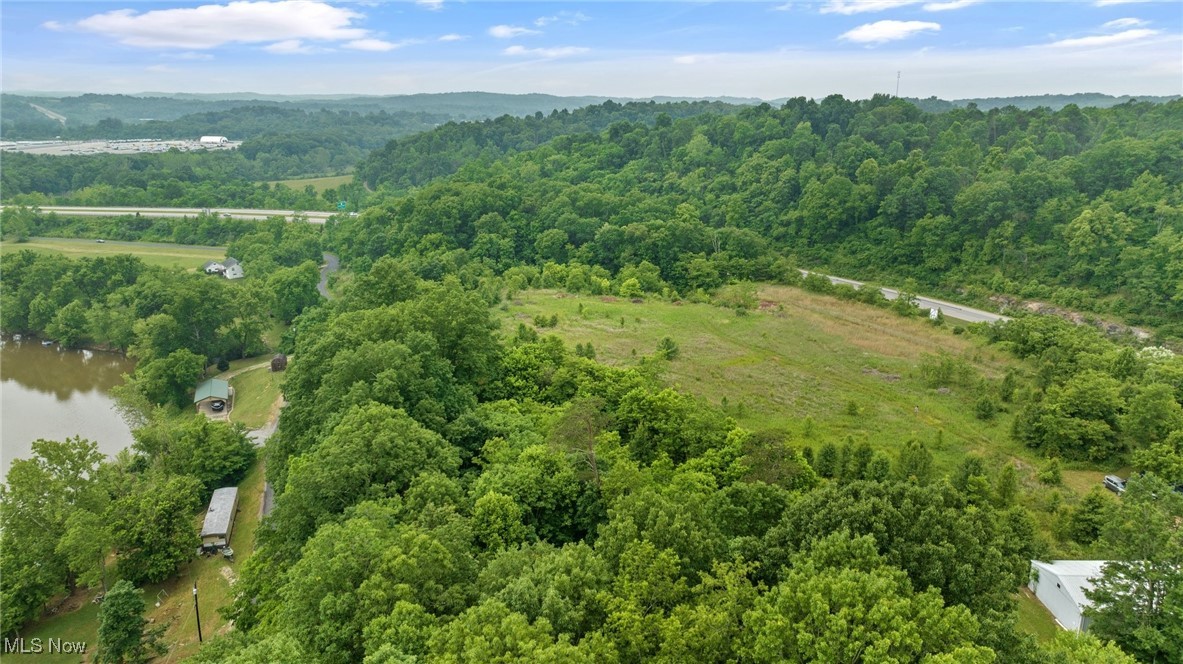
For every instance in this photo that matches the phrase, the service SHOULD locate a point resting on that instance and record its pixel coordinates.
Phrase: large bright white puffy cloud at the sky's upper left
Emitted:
(247, 22)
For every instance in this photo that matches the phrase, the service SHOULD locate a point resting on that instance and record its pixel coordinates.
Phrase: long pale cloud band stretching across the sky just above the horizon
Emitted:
(1143, 68)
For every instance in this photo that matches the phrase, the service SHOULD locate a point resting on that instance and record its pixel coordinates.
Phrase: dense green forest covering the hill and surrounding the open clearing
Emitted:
(449, 492)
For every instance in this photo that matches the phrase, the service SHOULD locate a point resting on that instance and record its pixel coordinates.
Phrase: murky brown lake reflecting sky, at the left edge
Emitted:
(55, 395)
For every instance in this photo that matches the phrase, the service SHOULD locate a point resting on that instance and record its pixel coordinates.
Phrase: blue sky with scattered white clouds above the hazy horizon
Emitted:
(951, 49)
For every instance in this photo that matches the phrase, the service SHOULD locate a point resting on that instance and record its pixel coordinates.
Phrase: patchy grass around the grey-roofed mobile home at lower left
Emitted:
(79, 618)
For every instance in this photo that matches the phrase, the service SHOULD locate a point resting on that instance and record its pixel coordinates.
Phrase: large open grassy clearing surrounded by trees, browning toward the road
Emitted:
(800, 356)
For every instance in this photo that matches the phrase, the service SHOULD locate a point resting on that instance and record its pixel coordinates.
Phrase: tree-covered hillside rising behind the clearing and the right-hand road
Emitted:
(1082, 208)
